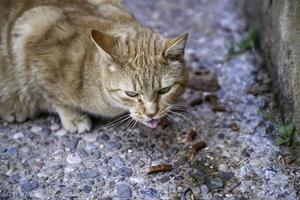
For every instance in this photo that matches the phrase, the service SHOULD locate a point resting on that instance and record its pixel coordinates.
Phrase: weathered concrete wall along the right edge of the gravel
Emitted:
(278, 22)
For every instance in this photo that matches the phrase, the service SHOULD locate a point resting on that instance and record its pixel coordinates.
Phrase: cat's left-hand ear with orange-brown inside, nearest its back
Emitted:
(104, 42)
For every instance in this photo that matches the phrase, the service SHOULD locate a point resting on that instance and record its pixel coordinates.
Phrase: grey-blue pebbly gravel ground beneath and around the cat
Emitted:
(39, 160)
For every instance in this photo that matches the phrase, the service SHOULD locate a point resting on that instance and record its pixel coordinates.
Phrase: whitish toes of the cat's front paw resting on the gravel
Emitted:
(78, 123)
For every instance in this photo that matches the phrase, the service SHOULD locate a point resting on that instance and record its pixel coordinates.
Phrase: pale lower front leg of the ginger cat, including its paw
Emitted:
(73, 120)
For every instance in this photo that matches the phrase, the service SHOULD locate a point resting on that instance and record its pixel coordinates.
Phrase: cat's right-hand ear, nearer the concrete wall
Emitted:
(175, 47)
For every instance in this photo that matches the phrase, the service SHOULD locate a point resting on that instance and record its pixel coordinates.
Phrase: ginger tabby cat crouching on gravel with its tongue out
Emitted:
(80, 57)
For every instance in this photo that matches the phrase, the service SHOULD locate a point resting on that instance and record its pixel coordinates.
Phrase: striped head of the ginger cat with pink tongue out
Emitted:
(145, 72)
